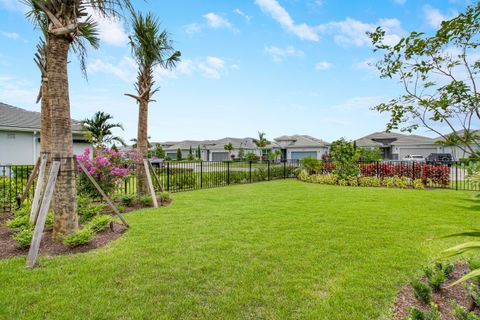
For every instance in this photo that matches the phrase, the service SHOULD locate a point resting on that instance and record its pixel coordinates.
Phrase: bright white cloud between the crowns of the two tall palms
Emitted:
(112, 31)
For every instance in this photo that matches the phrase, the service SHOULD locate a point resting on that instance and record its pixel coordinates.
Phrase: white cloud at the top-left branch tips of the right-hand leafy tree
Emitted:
(350, 32)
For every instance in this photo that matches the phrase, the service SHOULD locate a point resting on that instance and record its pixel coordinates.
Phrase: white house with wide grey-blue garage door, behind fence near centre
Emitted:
(297, 147)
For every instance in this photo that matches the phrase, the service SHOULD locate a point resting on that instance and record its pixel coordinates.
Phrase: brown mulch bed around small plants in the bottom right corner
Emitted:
(442, 299)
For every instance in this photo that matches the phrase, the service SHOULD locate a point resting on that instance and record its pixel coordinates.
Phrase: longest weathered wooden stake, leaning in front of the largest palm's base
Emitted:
(42, 216)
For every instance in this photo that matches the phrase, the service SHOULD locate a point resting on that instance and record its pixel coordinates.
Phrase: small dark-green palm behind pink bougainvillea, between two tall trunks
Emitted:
(99, 129)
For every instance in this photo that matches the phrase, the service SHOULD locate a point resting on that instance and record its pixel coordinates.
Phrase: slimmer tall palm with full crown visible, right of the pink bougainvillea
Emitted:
(151, 48)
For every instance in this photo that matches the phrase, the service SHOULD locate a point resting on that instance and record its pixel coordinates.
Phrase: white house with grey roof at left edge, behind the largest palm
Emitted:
(20, 136)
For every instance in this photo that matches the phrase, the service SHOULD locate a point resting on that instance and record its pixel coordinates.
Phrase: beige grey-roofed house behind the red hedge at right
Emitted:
(396, 146)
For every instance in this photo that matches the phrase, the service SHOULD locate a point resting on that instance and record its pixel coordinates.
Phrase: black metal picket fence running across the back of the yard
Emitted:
(184, 176)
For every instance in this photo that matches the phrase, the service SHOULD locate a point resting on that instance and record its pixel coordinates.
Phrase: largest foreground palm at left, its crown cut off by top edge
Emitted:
(70, 26)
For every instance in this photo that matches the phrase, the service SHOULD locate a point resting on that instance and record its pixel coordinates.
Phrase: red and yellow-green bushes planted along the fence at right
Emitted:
(399, 174)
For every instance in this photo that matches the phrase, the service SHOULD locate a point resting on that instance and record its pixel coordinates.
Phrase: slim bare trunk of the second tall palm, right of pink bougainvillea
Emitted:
(142, 146)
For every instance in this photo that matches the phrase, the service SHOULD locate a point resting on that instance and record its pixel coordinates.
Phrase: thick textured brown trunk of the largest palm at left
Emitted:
(65, 195)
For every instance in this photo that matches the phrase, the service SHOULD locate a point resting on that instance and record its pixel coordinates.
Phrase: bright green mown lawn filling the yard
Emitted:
(273, 250)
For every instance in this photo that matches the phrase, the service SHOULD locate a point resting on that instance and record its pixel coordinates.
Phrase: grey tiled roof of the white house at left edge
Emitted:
(13, 117)
